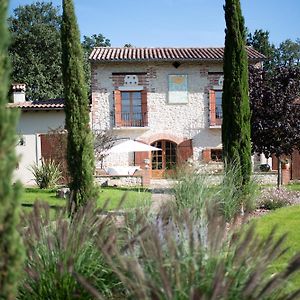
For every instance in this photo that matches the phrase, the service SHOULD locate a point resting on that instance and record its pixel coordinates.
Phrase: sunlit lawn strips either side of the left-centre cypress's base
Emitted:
(134, 197)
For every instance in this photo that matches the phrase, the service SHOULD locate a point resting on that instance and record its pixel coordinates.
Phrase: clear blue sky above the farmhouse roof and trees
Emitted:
(179, 23)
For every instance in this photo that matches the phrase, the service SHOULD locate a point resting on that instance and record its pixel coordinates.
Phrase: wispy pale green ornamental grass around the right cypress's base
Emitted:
(193, 191)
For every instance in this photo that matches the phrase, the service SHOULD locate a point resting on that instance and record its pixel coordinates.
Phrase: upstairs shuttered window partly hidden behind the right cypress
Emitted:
(215, 107)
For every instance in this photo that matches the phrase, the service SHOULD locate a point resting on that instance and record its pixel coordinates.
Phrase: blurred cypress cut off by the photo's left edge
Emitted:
(11, 253)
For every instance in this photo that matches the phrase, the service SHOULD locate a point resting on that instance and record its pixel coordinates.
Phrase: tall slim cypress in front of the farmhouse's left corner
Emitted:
(80, 155)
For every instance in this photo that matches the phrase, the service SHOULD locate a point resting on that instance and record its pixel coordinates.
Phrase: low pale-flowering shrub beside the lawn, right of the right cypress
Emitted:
(273, 198)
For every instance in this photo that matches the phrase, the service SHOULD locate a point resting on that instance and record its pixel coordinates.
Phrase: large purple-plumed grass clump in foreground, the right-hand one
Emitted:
(172, 256)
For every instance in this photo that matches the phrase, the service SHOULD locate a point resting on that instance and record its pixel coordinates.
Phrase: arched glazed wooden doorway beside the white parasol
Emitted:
(163, 162)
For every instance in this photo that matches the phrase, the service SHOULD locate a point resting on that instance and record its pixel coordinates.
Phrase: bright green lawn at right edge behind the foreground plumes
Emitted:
(288, 221)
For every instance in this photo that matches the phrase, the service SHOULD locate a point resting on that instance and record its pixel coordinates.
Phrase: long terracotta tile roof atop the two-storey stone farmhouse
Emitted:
(109, 54)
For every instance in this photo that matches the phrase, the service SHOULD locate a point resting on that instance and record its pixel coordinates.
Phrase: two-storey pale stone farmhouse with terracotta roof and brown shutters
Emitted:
(166, 97)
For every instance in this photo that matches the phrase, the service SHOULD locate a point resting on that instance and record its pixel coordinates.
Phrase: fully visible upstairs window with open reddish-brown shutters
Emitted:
(130, 108)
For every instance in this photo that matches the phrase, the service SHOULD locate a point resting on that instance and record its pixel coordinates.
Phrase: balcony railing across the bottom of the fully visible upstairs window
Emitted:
(129, 119)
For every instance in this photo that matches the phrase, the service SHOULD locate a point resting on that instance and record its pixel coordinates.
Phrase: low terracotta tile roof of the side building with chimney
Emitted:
(51, 104)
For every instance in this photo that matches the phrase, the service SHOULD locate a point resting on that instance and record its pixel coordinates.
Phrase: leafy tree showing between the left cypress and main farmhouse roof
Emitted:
(88, 44)
